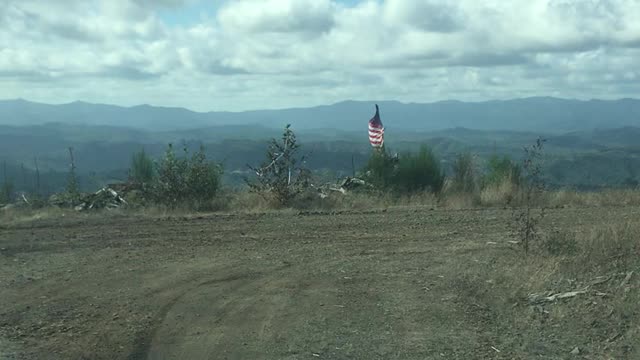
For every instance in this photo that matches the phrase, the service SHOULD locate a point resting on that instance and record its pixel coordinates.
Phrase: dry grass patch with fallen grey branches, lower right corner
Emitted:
(600, 266)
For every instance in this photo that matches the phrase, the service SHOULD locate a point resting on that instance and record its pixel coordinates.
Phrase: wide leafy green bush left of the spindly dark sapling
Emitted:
(188, 180)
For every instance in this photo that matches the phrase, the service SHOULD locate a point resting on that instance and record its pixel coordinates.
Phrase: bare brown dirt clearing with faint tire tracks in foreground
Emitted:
(406, 283)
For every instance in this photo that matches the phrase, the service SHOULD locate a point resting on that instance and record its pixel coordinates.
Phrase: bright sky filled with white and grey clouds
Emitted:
(255, 54)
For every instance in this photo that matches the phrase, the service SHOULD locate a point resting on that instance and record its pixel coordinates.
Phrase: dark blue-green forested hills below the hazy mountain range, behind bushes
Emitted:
(581, 159)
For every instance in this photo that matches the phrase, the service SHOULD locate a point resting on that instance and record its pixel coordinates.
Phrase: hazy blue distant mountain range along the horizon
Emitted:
(549, 115)
